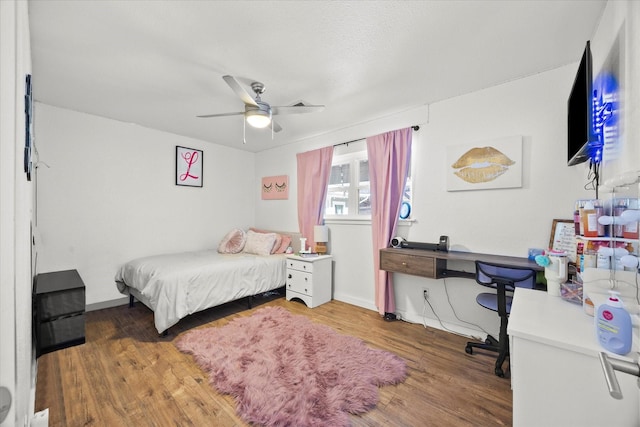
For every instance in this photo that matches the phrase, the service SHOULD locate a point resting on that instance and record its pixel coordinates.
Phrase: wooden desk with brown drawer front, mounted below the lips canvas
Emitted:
(433, 264)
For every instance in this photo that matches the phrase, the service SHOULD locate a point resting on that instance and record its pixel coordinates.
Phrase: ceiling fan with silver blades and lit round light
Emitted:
(258, 113)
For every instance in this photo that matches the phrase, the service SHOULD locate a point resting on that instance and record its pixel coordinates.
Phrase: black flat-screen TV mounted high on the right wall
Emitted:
(582, 144)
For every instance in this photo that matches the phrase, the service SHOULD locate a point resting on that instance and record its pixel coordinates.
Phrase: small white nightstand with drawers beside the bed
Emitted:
(309, 279)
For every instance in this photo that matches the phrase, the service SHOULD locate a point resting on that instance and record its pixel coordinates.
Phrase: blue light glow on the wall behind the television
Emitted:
(606, 117)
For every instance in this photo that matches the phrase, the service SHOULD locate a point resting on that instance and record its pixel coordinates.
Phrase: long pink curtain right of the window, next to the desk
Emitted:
(389, 158)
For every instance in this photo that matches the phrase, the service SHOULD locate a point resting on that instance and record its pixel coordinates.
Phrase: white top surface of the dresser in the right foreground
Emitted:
(540, 317)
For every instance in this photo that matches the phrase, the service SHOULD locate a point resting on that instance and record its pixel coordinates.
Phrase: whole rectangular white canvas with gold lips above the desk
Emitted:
(485, 165)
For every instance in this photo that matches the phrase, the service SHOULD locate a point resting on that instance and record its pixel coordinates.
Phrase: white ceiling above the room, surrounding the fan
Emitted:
(160, 63)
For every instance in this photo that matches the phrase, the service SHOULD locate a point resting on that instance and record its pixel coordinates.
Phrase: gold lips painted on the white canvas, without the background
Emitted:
(481, 165)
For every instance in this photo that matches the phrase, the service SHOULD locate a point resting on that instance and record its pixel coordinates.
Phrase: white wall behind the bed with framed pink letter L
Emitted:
(107, 194)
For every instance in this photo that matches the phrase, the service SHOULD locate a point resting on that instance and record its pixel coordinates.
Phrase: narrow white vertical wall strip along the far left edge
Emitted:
(17, 361)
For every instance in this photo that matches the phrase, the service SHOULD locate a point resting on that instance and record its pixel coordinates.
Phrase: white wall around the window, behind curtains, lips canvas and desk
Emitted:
(506, 222)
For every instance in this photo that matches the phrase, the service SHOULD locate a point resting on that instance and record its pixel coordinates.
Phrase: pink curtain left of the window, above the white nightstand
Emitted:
(314, 169)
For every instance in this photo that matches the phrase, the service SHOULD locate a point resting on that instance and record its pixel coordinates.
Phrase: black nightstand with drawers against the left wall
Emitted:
(59, 305)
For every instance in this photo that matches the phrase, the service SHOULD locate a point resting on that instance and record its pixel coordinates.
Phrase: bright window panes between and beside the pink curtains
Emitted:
(348, 193)
